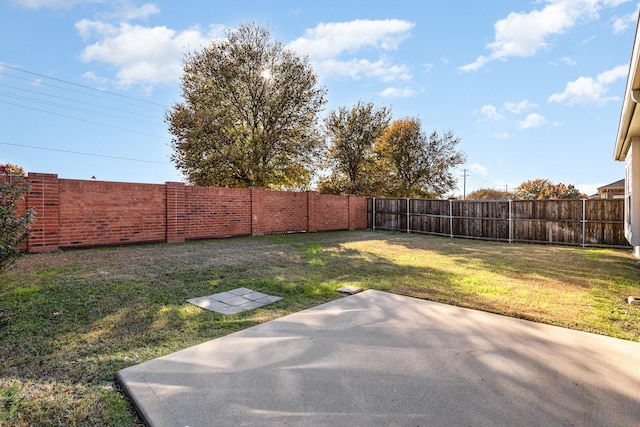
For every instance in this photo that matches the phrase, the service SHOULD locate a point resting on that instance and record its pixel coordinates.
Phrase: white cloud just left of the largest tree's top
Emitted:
(141, 55)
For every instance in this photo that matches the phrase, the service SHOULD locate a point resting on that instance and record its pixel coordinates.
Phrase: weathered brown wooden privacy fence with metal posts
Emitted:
(578, 222)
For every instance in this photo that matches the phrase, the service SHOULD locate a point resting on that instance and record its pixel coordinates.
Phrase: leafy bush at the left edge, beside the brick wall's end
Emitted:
(14, 228)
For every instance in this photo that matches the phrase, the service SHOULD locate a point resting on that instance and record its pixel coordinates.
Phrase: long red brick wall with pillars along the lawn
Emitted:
(77, 213)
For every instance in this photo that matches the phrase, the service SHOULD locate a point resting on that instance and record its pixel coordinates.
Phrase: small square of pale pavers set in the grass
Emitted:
(234, 301)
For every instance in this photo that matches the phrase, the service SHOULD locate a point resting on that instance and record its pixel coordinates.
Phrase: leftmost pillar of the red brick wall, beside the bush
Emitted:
(45, 201)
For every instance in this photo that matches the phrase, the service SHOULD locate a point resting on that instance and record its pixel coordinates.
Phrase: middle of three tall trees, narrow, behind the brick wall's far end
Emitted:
(352, 134)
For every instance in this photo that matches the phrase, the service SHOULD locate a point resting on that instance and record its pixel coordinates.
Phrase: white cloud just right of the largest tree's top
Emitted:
(340, 49)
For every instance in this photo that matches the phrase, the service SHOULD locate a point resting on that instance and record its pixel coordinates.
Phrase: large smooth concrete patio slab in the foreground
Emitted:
(376, 358)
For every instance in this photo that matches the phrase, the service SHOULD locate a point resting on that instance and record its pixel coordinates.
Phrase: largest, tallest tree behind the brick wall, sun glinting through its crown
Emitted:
(248, 115)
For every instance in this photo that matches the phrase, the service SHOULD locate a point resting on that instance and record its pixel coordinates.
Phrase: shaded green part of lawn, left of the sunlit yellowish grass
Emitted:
(75, 325)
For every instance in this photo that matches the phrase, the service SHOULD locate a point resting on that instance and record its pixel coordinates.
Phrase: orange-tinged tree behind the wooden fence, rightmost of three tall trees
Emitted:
(416, 164)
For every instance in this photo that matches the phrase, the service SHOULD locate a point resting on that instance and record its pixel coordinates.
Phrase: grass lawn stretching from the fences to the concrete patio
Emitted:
(70, 320)
